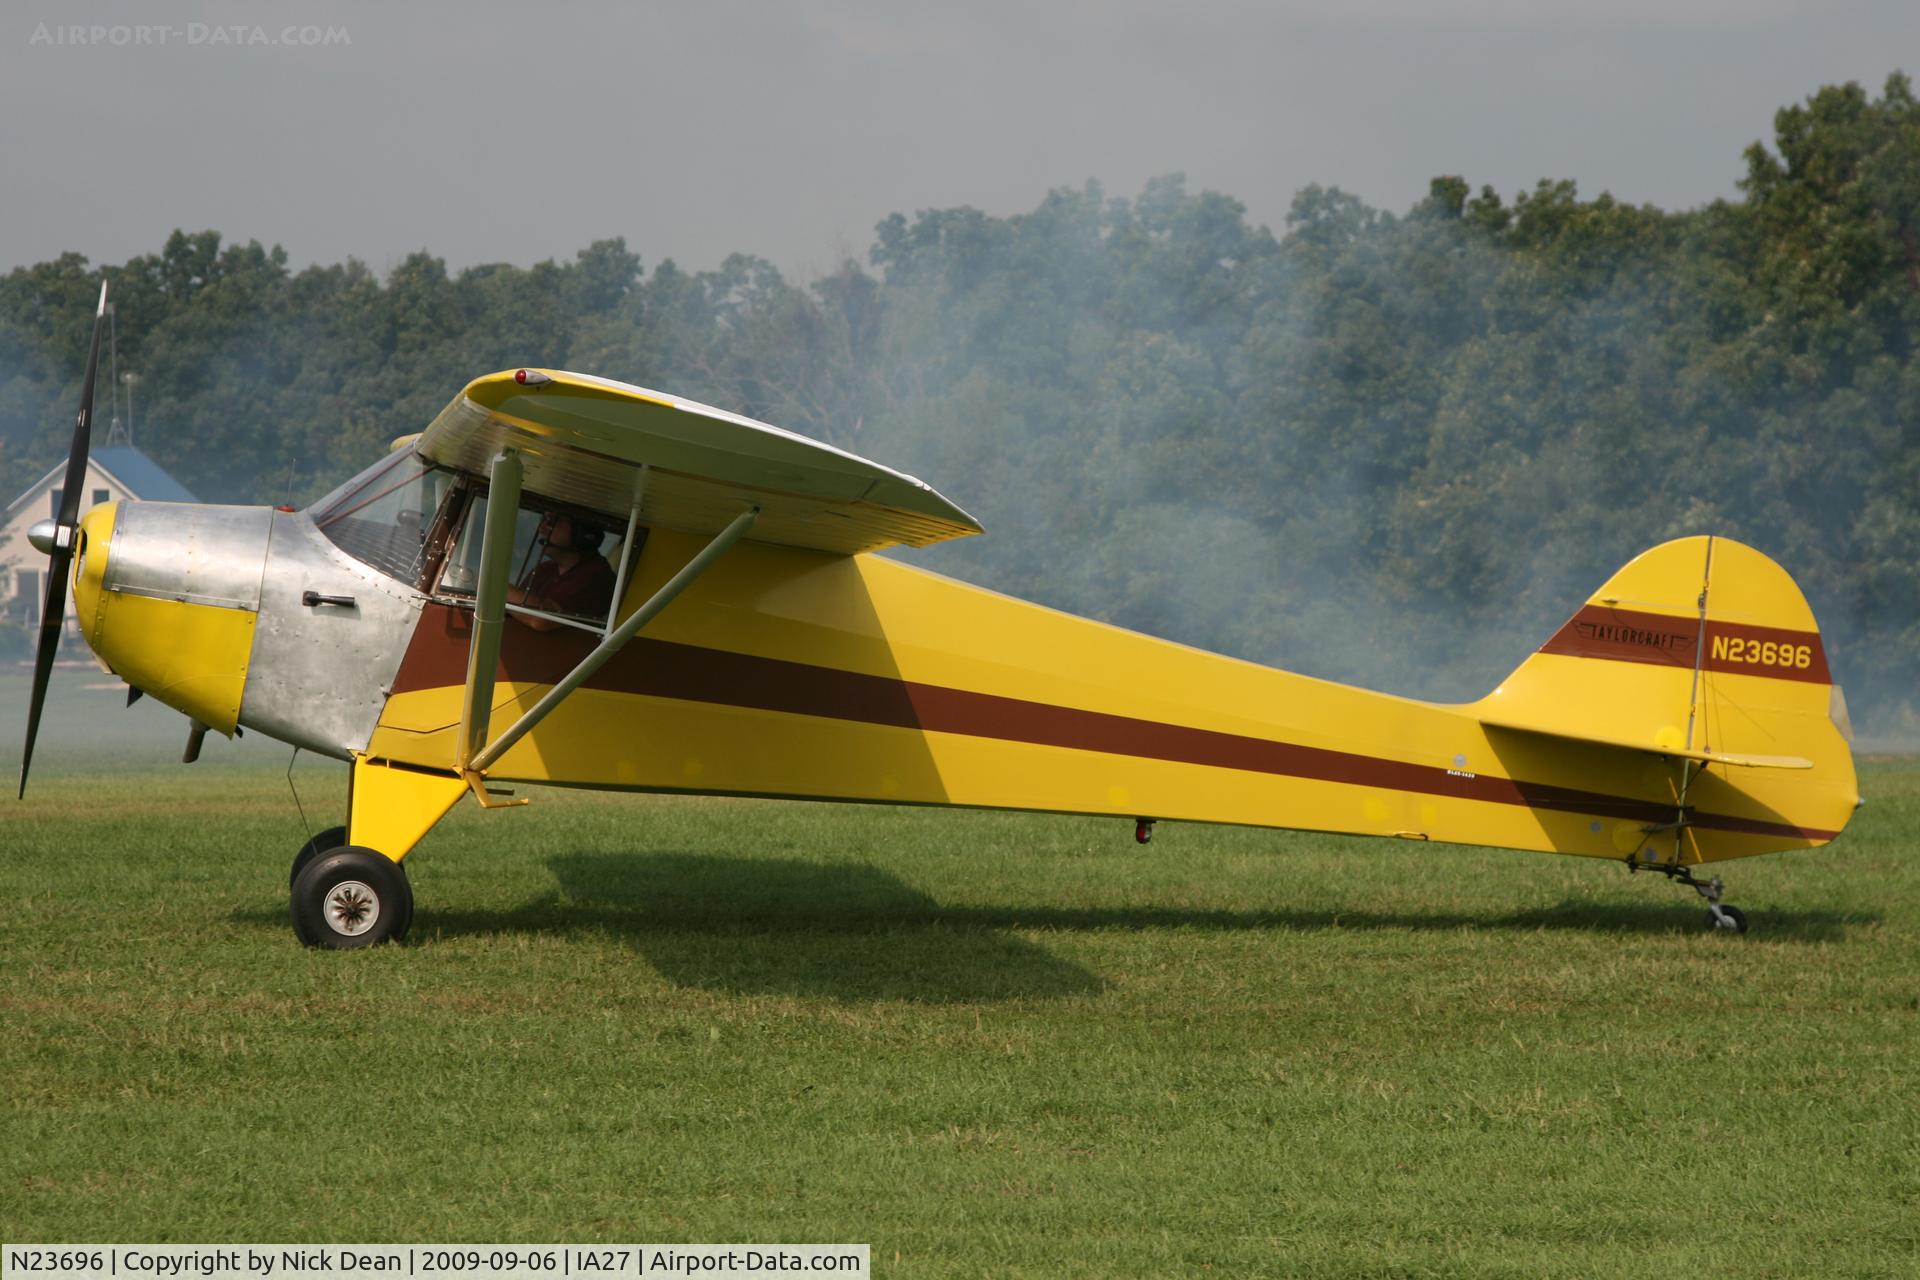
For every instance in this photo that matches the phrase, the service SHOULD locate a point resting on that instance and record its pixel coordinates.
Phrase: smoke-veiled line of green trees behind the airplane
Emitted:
(1393, 450)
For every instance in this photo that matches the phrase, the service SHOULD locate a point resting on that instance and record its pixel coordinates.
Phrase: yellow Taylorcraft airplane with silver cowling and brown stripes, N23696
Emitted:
(456, 619)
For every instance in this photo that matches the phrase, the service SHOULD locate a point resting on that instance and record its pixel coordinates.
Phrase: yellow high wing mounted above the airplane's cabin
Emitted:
(690, 467)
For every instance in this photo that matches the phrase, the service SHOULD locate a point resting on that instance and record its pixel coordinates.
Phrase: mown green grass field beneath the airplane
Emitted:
(986, 1045)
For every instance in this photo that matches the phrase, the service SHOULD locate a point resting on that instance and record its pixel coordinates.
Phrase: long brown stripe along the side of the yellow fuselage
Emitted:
(694, 675)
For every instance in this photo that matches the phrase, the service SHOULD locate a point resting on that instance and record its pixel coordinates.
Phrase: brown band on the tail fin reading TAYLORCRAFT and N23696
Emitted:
(1662, 640)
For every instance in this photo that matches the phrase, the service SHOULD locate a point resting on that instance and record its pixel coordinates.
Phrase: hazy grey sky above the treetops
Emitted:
(491, 133)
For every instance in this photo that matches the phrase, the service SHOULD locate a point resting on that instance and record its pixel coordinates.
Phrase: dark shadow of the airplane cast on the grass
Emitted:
(852, 932)
